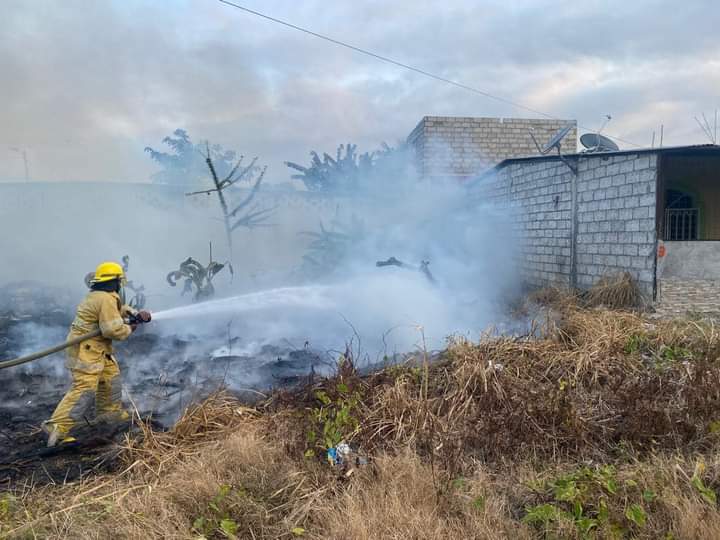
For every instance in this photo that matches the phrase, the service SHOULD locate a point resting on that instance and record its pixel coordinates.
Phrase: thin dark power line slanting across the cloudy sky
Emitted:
(406, 66)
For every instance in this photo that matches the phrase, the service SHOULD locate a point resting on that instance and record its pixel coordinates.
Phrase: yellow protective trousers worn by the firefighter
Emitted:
(103, 386)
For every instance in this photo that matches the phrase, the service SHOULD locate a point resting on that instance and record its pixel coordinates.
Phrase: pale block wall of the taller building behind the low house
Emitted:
(465, 146)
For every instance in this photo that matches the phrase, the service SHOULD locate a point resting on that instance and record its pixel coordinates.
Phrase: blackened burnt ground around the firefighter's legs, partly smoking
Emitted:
(161, 376)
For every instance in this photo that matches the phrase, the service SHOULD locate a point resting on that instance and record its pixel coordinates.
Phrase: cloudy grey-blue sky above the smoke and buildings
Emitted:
(87, 84)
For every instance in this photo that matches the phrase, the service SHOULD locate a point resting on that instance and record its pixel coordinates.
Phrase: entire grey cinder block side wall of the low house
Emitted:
(575, 229)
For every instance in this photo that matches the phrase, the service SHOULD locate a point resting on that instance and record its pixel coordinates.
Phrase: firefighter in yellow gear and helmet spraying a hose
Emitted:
(93, 368)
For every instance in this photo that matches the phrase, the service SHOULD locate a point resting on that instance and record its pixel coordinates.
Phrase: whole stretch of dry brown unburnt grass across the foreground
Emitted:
(606, 427)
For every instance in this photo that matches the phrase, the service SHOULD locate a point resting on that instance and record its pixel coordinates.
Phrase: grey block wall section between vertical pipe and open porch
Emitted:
(616, 218)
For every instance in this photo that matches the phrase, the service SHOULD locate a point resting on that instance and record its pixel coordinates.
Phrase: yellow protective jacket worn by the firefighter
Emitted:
(103, 310)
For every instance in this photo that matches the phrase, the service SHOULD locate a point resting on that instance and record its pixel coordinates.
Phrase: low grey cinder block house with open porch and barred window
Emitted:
(652, 212)
